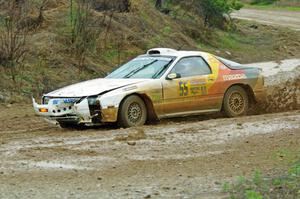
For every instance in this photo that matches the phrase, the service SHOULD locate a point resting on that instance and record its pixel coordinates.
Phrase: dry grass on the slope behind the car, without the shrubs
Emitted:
(51, 63)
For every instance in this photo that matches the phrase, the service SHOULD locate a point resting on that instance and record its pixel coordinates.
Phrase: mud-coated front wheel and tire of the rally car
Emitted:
(133, 112)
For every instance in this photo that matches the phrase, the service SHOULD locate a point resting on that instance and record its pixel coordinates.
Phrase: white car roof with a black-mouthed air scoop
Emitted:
(173, 52)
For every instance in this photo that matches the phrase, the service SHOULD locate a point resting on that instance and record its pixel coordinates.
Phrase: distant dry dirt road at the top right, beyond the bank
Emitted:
(289, 19)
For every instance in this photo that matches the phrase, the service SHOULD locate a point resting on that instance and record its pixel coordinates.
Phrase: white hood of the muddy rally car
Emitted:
(93, 87)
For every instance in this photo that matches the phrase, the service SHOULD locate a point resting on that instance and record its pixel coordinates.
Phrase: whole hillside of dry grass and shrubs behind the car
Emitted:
(55, 43)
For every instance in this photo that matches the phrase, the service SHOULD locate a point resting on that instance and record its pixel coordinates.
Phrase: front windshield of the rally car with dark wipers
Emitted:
(142, 68)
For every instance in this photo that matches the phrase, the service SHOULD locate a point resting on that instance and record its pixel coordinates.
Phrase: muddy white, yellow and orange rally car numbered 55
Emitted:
(161, 83)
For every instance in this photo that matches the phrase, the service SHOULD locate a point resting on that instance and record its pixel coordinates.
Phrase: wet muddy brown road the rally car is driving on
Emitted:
(178, 158)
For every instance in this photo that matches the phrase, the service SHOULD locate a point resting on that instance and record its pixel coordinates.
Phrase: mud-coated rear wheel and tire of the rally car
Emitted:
(235, 102)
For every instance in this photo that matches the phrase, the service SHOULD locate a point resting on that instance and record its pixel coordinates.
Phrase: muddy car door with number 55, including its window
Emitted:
(189, 92)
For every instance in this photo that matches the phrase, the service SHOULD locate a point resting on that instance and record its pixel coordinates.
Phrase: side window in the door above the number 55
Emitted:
(191, 66)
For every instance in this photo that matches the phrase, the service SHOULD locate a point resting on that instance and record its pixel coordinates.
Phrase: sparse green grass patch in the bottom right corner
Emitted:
(286, 185)
